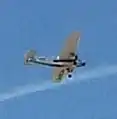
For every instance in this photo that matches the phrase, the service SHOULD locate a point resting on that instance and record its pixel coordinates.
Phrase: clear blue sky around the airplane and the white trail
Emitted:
(44, 25)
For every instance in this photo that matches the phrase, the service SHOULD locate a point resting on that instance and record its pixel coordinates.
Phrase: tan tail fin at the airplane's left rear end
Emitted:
(31, 54)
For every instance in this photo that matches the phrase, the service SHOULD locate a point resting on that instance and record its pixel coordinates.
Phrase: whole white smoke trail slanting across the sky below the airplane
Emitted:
(95, 73)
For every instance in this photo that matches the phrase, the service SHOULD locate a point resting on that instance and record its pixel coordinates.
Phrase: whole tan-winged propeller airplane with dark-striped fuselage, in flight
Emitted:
(64, 64)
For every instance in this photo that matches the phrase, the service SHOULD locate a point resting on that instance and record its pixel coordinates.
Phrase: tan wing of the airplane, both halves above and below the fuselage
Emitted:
(70, 47)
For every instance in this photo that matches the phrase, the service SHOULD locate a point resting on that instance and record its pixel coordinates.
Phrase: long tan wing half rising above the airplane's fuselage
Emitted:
(71, 45)
